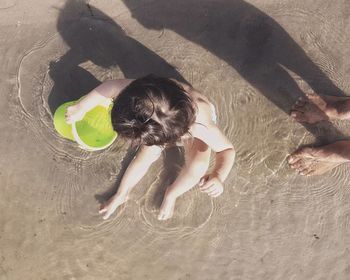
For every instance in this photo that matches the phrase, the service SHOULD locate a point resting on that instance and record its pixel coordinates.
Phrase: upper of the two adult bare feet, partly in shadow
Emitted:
(314, 108)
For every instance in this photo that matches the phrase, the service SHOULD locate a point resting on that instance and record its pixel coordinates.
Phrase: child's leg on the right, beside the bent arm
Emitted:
(197, 155)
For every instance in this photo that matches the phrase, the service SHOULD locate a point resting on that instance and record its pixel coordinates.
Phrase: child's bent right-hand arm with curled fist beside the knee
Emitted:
(225, 157)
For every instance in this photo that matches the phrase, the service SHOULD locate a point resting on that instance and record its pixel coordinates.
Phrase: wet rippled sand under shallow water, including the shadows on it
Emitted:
(253, 59)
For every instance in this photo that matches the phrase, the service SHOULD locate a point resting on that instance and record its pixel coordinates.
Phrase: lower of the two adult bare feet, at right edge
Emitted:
(316, 161)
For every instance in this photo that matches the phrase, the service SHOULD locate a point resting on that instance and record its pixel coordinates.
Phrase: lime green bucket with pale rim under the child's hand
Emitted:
(94, 132)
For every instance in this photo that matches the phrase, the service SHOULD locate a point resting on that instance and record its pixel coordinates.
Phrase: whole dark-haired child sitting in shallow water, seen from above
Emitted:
(156, 113)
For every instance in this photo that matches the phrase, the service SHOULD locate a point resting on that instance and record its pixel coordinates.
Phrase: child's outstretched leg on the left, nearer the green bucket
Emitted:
(133, 174)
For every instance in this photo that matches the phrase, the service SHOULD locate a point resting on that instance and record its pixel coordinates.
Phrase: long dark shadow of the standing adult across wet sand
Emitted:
(252, 42)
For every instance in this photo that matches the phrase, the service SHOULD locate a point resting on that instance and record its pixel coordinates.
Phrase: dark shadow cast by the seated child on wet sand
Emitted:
(96, 40)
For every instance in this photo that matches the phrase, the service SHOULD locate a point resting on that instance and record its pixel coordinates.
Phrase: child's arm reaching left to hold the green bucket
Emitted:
(101, 95)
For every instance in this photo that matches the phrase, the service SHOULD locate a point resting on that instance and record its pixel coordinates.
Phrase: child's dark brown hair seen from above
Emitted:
(153, 111)
